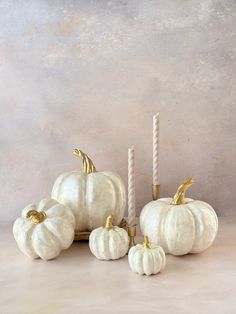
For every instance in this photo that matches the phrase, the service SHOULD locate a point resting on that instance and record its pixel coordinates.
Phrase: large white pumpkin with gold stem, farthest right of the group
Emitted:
(180, 225)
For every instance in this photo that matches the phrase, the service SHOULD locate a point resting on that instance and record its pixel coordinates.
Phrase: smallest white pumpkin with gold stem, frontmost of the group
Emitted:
(146, 259)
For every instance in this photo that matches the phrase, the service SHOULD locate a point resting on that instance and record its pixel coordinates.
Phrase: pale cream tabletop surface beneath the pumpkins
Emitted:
(77, 282)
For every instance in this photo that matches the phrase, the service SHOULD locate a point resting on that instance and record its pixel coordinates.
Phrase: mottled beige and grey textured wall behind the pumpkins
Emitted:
(90, 74)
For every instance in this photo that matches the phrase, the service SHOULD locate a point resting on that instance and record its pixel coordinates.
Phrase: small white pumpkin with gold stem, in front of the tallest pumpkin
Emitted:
(109, 242)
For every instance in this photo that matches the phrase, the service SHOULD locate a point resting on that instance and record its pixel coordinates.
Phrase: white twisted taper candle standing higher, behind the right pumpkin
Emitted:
(155, 159)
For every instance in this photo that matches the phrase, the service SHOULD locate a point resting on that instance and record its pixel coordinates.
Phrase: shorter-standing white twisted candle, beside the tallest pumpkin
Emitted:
(131, 187)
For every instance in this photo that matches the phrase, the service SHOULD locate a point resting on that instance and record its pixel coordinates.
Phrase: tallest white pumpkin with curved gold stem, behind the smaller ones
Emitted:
(91, 195)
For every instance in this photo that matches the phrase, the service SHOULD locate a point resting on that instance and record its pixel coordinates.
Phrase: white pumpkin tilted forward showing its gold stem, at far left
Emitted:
(44, 230)
